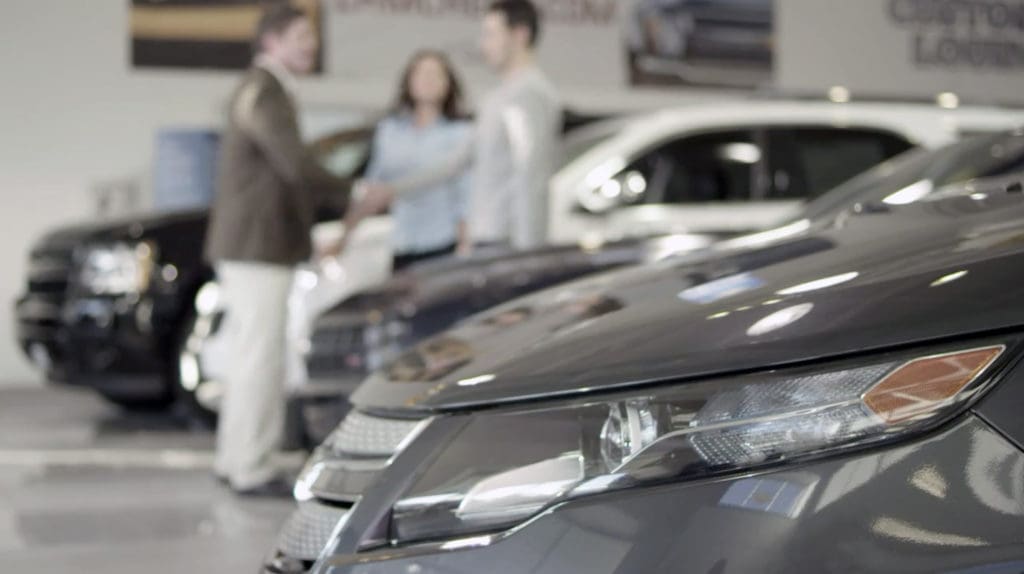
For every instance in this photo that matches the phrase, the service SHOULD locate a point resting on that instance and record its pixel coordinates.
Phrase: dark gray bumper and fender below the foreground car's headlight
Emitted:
(949, 503)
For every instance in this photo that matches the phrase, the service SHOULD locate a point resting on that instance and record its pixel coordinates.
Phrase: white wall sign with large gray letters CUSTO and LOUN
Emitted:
(913, 50)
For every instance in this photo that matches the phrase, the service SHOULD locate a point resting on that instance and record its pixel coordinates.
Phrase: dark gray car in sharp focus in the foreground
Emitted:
(842, 398)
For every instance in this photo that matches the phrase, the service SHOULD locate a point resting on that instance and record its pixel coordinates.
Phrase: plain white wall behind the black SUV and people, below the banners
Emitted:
(73, 114)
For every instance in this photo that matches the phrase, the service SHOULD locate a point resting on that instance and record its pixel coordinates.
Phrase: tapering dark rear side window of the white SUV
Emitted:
(807, 162)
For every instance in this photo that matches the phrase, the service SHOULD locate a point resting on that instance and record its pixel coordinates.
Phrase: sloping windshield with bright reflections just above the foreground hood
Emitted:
(916, 174)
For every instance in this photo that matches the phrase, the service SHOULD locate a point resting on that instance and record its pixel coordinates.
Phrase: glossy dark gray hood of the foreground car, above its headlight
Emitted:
(949, 267)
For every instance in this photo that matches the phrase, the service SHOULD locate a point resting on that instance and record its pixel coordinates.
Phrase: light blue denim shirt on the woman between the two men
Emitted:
(424, 219)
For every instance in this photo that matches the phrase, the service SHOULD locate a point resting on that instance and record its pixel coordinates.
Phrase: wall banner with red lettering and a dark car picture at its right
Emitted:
(585, 43)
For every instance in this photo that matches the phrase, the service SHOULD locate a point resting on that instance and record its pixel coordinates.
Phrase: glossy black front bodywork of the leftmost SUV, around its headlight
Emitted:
(115, 344)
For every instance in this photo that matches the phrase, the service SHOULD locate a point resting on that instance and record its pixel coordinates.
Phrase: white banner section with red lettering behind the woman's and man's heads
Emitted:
(371, 40)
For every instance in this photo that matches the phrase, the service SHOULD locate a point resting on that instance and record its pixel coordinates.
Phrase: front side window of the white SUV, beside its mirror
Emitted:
(706, 168)
